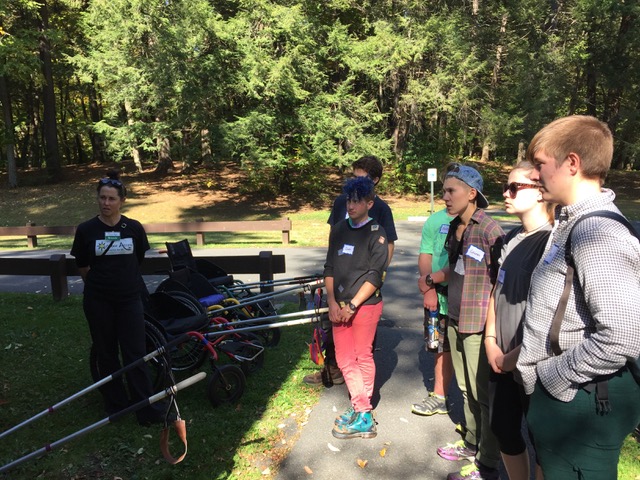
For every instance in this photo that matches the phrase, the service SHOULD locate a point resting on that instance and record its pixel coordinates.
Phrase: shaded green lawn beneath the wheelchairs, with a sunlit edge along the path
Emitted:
(44, 355)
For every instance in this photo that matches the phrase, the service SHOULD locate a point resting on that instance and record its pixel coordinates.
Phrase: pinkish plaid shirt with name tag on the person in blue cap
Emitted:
(478, 238)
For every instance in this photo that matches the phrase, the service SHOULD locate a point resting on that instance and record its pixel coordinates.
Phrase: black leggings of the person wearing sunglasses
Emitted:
(507, 406)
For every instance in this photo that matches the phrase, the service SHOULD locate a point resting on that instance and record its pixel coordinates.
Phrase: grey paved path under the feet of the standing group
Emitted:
(405, 447)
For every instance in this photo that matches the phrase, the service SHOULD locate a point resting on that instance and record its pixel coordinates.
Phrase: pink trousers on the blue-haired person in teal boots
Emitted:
(354, 354)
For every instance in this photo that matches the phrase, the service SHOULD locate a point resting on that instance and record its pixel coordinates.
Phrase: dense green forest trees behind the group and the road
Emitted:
(287, 90)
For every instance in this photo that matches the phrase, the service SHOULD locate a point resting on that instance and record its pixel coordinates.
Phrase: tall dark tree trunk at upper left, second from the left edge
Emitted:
(48, 99)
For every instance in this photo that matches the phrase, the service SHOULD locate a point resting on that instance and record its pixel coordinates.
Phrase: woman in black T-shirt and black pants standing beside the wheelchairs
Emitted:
(109, 249)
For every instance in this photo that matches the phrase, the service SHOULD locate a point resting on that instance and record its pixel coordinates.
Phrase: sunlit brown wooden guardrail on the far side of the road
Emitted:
(31, 231)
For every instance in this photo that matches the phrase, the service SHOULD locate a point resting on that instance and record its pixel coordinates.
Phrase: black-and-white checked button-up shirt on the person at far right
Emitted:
(601, 330)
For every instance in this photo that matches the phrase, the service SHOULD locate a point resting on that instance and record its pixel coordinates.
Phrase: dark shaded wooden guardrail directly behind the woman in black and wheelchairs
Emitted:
(58, 267)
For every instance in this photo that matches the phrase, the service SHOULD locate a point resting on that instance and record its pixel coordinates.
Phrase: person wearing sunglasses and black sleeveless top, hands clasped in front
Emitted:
(521, 251)
